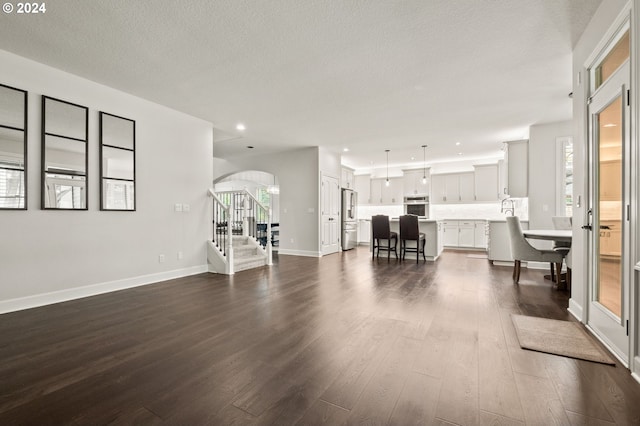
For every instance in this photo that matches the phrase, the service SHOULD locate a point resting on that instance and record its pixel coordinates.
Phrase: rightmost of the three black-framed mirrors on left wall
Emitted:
(117, 163)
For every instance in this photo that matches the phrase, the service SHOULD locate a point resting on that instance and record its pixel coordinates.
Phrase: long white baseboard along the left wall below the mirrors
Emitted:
(37, 300)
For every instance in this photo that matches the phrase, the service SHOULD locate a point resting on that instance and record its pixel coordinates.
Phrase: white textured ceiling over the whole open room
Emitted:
(369, 75)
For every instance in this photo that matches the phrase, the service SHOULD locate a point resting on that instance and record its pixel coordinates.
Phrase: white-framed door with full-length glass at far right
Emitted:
(609, 178)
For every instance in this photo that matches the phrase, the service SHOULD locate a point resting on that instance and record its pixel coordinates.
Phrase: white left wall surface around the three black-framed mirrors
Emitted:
(48, 256)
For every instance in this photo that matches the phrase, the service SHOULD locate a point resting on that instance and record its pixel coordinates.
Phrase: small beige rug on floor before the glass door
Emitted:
(564, 338)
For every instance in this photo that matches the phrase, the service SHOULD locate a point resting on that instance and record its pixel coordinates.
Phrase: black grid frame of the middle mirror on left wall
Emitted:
(44, 192)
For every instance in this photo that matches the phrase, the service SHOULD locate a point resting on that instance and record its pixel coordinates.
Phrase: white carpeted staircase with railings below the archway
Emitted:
(240, 227)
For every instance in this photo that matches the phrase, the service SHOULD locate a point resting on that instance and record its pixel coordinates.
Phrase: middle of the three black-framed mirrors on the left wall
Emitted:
(64, 154)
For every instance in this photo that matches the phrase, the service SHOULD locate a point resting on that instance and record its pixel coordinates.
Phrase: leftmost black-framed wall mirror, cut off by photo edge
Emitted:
(13, 148)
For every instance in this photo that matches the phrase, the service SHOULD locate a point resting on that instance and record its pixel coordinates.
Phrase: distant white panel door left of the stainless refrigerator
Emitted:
(330, 215)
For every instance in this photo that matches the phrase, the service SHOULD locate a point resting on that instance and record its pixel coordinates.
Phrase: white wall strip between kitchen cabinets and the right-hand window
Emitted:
(542, 171)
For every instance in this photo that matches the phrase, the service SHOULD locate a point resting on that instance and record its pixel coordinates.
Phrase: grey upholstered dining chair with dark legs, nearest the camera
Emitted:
(521, 250)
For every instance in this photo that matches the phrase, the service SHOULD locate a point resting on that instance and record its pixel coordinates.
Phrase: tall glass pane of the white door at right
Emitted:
(609, 140)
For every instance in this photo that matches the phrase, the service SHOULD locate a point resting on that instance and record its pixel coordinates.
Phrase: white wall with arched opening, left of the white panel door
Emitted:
(298, 173)
